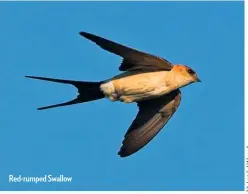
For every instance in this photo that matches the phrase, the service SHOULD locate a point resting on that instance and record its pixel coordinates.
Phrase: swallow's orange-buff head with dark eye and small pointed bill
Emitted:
(185, 75)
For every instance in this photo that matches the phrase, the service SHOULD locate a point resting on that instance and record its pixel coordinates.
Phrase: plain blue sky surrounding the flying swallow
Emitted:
(201, 148)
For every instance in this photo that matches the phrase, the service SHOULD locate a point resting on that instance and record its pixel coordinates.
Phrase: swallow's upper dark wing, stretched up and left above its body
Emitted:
(132, 59)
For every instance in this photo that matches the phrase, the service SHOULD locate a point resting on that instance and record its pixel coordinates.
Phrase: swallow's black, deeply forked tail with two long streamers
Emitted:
(88, 91)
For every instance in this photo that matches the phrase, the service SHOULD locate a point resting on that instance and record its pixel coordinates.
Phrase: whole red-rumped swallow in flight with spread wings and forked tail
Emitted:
(150, 81)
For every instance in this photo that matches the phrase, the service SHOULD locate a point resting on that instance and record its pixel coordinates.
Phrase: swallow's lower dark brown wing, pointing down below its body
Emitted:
(152, 116)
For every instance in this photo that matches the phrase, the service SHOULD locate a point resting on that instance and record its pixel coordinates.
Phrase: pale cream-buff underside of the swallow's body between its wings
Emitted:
(136, 86)
